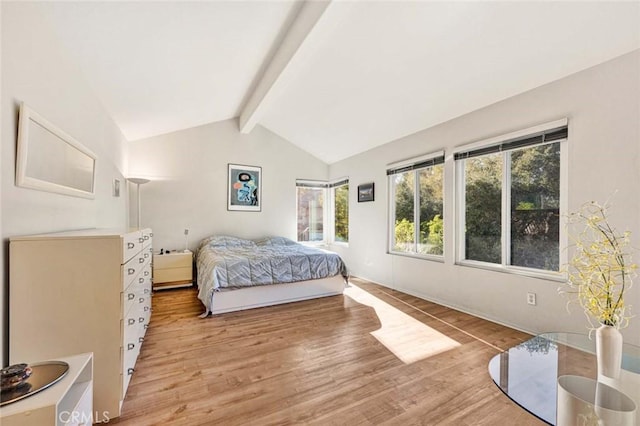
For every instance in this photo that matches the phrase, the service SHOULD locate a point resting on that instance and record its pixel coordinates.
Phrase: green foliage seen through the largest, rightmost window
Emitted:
(534, 176)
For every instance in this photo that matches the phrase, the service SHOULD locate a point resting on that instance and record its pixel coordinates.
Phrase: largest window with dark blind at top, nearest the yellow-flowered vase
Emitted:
(509, 196)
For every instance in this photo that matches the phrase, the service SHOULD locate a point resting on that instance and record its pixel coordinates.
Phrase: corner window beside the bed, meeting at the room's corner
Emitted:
(316, 219)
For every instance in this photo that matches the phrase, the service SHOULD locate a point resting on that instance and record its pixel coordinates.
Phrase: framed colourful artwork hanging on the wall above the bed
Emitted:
(244, 188)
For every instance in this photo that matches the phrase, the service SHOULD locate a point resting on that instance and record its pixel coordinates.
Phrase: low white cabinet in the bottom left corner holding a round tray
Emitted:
(67, 402)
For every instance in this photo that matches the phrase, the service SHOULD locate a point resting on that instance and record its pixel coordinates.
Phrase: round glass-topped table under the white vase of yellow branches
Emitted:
(528, 373)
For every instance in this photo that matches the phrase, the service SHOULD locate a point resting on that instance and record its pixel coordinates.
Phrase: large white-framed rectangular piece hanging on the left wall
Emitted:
(48, 159)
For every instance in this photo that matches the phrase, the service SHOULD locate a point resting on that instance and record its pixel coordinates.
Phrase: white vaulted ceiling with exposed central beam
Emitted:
(335, 78)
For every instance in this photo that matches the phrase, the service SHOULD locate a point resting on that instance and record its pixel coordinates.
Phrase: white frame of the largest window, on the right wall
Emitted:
(505, 237)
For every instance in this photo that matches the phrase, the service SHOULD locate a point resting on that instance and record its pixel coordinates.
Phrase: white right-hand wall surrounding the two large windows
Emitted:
(603, 108)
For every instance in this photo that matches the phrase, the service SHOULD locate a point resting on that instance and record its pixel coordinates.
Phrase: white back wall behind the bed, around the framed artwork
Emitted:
(188, 170)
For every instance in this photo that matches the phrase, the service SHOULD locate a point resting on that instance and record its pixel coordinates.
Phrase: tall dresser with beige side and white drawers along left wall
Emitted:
(82, 291)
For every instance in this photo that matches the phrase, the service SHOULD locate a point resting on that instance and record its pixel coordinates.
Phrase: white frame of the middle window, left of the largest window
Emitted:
(416, 204)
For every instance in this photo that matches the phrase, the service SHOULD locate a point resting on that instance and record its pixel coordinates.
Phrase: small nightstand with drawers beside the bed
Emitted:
(172, 270)
